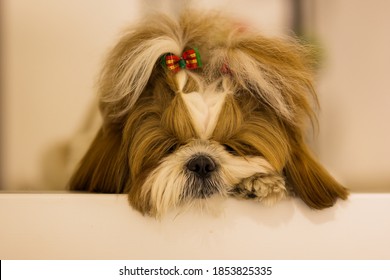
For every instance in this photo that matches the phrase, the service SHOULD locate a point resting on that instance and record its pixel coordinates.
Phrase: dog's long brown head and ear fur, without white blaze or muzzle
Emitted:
(145, 119)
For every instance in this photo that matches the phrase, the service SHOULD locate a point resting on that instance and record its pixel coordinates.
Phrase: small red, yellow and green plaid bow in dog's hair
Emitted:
(190, 59)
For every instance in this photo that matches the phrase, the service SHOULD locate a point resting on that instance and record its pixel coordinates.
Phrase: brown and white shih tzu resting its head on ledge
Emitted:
(201, 106)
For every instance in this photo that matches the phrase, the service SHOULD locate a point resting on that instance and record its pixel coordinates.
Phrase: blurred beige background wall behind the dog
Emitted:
(52, 51)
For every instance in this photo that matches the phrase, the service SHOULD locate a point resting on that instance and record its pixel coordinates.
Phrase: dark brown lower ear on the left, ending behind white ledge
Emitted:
(104, 167)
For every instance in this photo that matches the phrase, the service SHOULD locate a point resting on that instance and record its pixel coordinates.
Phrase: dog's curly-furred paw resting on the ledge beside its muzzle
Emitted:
(266, 188)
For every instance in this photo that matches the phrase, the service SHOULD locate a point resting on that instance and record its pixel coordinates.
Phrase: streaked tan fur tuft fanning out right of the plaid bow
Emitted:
(277, 71)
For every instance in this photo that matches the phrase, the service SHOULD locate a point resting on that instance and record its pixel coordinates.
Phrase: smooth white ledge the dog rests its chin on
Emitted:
(101, 226)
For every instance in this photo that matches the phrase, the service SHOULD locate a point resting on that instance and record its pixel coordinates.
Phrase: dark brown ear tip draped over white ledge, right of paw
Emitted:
(309, 180)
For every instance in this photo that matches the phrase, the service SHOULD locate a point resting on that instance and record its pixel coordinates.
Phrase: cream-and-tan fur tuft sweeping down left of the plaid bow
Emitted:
(131, 64)
